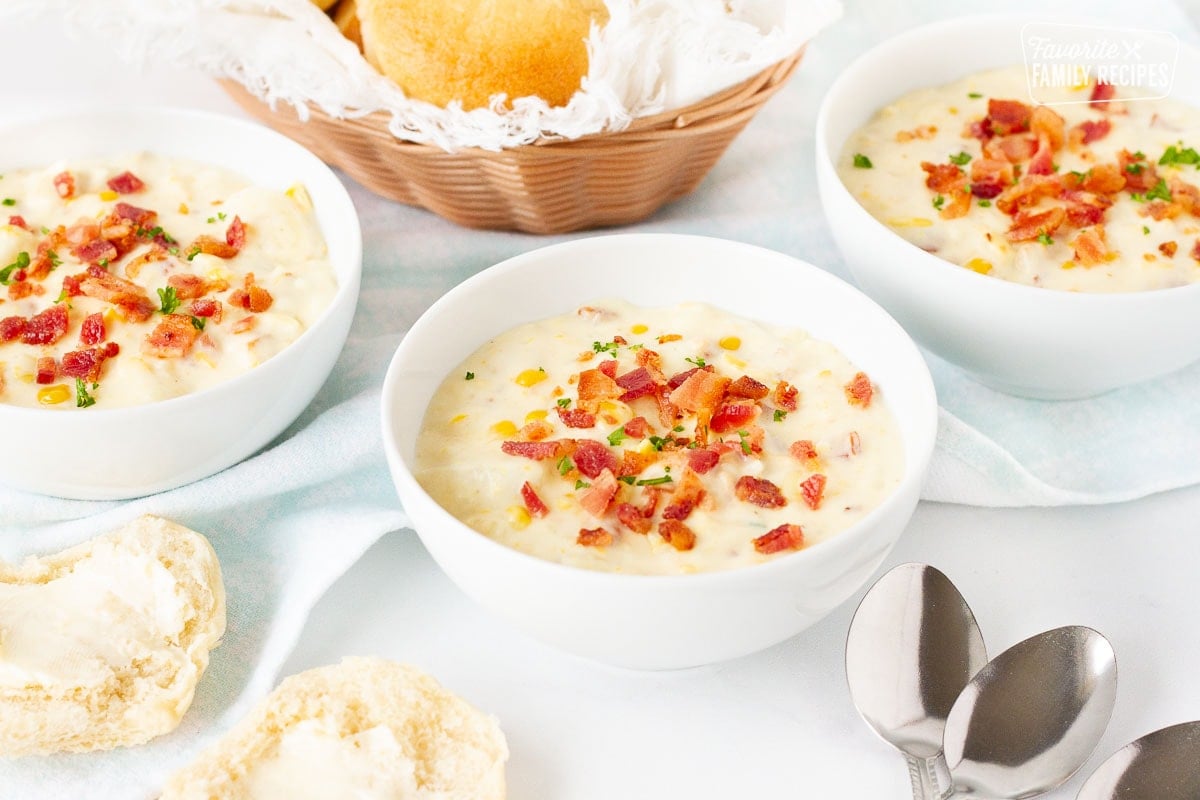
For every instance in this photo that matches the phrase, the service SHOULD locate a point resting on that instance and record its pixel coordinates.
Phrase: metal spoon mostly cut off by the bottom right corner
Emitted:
(1161, 766)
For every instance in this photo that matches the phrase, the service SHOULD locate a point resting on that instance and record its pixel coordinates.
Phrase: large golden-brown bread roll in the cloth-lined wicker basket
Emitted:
(441, 51)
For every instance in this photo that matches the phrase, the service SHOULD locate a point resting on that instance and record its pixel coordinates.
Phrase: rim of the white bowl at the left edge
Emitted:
(345, 288)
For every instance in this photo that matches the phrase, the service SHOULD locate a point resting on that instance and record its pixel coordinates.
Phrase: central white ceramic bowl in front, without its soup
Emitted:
(653, 622)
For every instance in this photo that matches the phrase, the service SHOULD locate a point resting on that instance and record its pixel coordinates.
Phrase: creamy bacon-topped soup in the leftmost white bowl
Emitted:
(134, 280)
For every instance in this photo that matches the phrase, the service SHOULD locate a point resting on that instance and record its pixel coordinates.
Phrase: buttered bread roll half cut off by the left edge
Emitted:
(103, 645)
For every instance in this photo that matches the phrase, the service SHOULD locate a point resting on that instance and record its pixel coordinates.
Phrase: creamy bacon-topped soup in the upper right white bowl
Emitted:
(1094, 195)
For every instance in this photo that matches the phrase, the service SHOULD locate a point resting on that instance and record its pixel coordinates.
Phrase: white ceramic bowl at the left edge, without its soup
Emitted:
(125, 453)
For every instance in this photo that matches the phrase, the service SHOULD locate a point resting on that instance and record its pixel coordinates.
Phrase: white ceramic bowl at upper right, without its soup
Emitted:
(1017, 339)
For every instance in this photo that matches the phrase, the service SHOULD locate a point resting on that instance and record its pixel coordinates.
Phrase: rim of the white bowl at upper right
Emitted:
(892, 51)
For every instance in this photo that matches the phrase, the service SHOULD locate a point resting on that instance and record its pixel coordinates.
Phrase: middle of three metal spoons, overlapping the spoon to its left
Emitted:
(1033, 717)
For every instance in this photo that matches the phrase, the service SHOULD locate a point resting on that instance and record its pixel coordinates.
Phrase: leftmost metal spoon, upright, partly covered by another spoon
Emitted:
(913, 647)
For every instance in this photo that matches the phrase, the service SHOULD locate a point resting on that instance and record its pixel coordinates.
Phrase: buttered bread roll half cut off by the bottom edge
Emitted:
(363, 730)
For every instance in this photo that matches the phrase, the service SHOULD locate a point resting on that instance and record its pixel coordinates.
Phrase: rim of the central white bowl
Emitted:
(925, 434)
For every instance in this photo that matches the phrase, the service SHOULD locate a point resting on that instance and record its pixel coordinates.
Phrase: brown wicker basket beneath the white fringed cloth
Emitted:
(547, 188)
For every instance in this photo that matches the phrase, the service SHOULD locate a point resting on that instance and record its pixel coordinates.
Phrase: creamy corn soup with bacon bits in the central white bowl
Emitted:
(658, 441)
